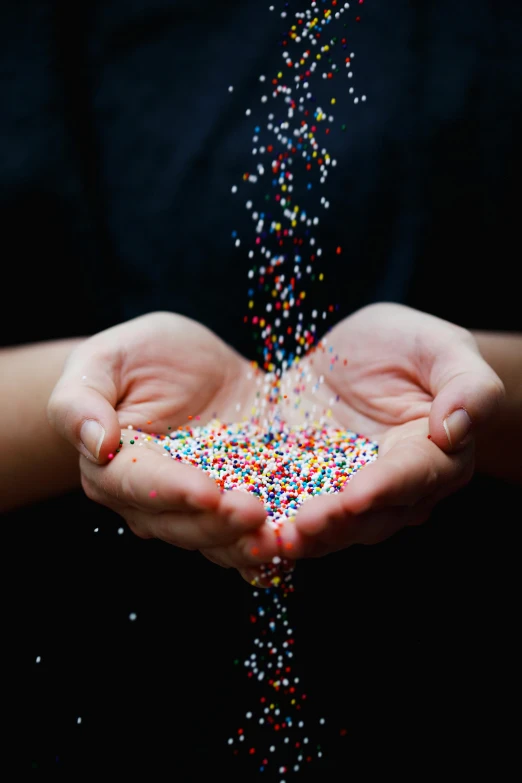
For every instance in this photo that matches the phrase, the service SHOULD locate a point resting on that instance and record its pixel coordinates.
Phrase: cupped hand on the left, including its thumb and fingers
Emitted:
(153, 374)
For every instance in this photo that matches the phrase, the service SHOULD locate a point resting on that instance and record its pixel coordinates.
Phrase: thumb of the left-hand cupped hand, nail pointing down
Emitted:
(82, 405)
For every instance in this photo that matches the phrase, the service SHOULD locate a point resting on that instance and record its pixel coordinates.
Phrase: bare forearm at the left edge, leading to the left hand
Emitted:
(35, 462)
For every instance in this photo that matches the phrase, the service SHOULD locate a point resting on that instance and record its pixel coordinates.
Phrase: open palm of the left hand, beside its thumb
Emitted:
(172, 369)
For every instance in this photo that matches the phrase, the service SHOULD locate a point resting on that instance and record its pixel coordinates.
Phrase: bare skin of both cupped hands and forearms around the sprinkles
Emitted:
(406, 372)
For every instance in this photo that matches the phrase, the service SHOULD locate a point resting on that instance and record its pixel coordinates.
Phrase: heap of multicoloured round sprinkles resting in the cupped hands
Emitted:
(283, 466)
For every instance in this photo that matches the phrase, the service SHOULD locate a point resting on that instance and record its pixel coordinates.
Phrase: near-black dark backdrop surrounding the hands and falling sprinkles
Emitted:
(119, 143)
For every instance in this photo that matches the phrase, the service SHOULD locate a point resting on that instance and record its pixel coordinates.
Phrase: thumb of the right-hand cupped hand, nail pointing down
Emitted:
(467, 394)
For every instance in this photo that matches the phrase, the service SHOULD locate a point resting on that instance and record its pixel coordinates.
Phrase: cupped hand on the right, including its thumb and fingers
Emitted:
(418, 386)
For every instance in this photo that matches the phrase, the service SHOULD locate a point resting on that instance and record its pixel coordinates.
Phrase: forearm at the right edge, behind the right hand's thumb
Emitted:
(498, 446)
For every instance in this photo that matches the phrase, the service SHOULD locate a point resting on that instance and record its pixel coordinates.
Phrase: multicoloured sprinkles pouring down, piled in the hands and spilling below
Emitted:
(283, 465)
